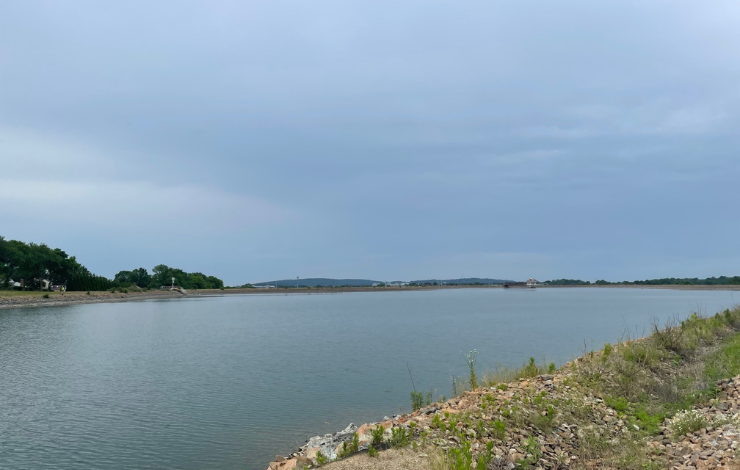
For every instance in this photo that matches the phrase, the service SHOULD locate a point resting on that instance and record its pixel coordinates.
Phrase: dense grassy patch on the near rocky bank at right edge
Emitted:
(652, 379)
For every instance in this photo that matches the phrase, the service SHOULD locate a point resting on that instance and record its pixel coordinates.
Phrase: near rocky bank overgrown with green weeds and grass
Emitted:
(665, 401)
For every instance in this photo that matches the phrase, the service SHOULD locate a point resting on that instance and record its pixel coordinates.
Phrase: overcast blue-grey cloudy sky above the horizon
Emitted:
(260, 140)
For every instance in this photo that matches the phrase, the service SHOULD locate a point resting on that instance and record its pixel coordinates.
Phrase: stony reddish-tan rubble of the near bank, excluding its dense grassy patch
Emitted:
(545, 423)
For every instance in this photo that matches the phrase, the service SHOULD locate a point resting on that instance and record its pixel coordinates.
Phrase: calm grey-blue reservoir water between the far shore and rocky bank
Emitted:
(228, 382)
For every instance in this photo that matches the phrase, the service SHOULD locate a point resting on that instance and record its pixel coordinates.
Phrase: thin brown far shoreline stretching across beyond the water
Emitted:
(29, 299)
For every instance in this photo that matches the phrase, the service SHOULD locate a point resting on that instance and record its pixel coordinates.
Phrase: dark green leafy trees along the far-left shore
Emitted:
(34, 263)
